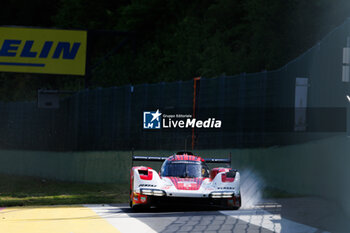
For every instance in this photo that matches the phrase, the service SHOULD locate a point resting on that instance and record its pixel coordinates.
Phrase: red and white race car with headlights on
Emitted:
(184, 178)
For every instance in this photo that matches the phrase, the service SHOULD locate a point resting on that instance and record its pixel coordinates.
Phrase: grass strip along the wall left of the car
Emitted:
(24, 191)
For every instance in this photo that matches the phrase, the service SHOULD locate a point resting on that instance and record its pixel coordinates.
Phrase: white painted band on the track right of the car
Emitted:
(269, 221)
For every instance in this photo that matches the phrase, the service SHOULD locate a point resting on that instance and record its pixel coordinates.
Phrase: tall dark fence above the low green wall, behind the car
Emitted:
(257, 110)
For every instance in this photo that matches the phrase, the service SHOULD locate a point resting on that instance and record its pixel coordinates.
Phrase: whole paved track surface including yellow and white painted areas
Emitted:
(297, 215)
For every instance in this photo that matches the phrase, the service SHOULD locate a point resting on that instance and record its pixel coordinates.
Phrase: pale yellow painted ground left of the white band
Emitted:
(57, 219)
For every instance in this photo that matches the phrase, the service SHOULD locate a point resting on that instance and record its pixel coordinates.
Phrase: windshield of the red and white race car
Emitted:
(185, 169)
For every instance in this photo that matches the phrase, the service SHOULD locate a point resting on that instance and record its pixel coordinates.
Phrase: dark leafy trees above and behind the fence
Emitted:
(174, 39)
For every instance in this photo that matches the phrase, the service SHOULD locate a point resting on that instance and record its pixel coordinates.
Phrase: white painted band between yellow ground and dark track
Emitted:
(120, 220)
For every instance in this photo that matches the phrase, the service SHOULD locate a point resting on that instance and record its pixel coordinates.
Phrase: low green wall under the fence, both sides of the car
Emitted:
(316, 168)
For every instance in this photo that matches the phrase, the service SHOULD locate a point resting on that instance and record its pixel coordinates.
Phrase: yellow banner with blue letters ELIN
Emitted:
(49, 51)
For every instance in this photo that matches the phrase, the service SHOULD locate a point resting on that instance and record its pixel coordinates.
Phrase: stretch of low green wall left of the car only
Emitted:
(97, 167)
